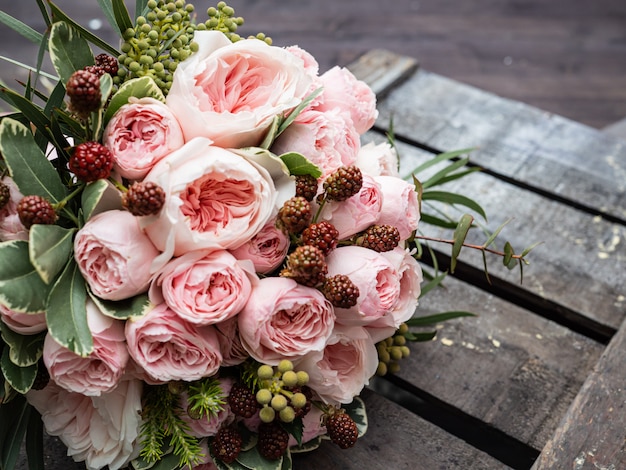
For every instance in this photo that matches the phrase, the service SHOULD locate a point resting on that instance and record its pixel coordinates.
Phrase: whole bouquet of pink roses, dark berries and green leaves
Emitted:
(201, 264)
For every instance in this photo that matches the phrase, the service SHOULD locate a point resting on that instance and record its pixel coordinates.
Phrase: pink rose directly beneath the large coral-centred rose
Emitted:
(204, 287)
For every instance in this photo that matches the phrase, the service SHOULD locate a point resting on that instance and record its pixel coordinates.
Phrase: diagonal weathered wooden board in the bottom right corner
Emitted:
(592, 434)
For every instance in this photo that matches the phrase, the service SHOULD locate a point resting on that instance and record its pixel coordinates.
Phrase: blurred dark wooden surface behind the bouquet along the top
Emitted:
(564, 56)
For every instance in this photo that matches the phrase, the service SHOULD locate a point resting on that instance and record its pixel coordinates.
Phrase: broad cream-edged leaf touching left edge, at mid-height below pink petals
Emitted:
(21, 287)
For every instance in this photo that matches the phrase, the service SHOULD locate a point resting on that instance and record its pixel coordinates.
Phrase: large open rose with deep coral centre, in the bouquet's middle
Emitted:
(215, 199)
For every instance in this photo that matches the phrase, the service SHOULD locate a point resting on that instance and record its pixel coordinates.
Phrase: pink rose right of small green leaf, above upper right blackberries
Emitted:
(327, 138)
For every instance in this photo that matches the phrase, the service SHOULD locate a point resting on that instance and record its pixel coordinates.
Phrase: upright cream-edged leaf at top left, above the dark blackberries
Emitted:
(69, 52)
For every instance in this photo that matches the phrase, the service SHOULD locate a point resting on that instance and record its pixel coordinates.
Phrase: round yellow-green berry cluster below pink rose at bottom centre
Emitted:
(280, 392)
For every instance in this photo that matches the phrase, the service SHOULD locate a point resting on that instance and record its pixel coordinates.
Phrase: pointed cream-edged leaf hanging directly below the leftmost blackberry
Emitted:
(49, 248)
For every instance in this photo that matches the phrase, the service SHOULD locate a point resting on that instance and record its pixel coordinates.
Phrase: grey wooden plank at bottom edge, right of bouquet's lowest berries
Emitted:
(397, 439)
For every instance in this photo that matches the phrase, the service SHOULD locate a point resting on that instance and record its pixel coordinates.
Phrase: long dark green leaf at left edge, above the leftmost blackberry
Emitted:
(28, 165)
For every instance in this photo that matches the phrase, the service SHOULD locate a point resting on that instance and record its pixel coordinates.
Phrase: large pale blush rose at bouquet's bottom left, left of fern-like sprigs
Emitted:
(98, 430)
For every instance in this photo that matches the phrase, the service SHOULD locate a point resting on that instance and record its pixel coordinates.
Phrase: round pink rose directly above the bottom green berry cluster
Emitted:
(284, 320)
